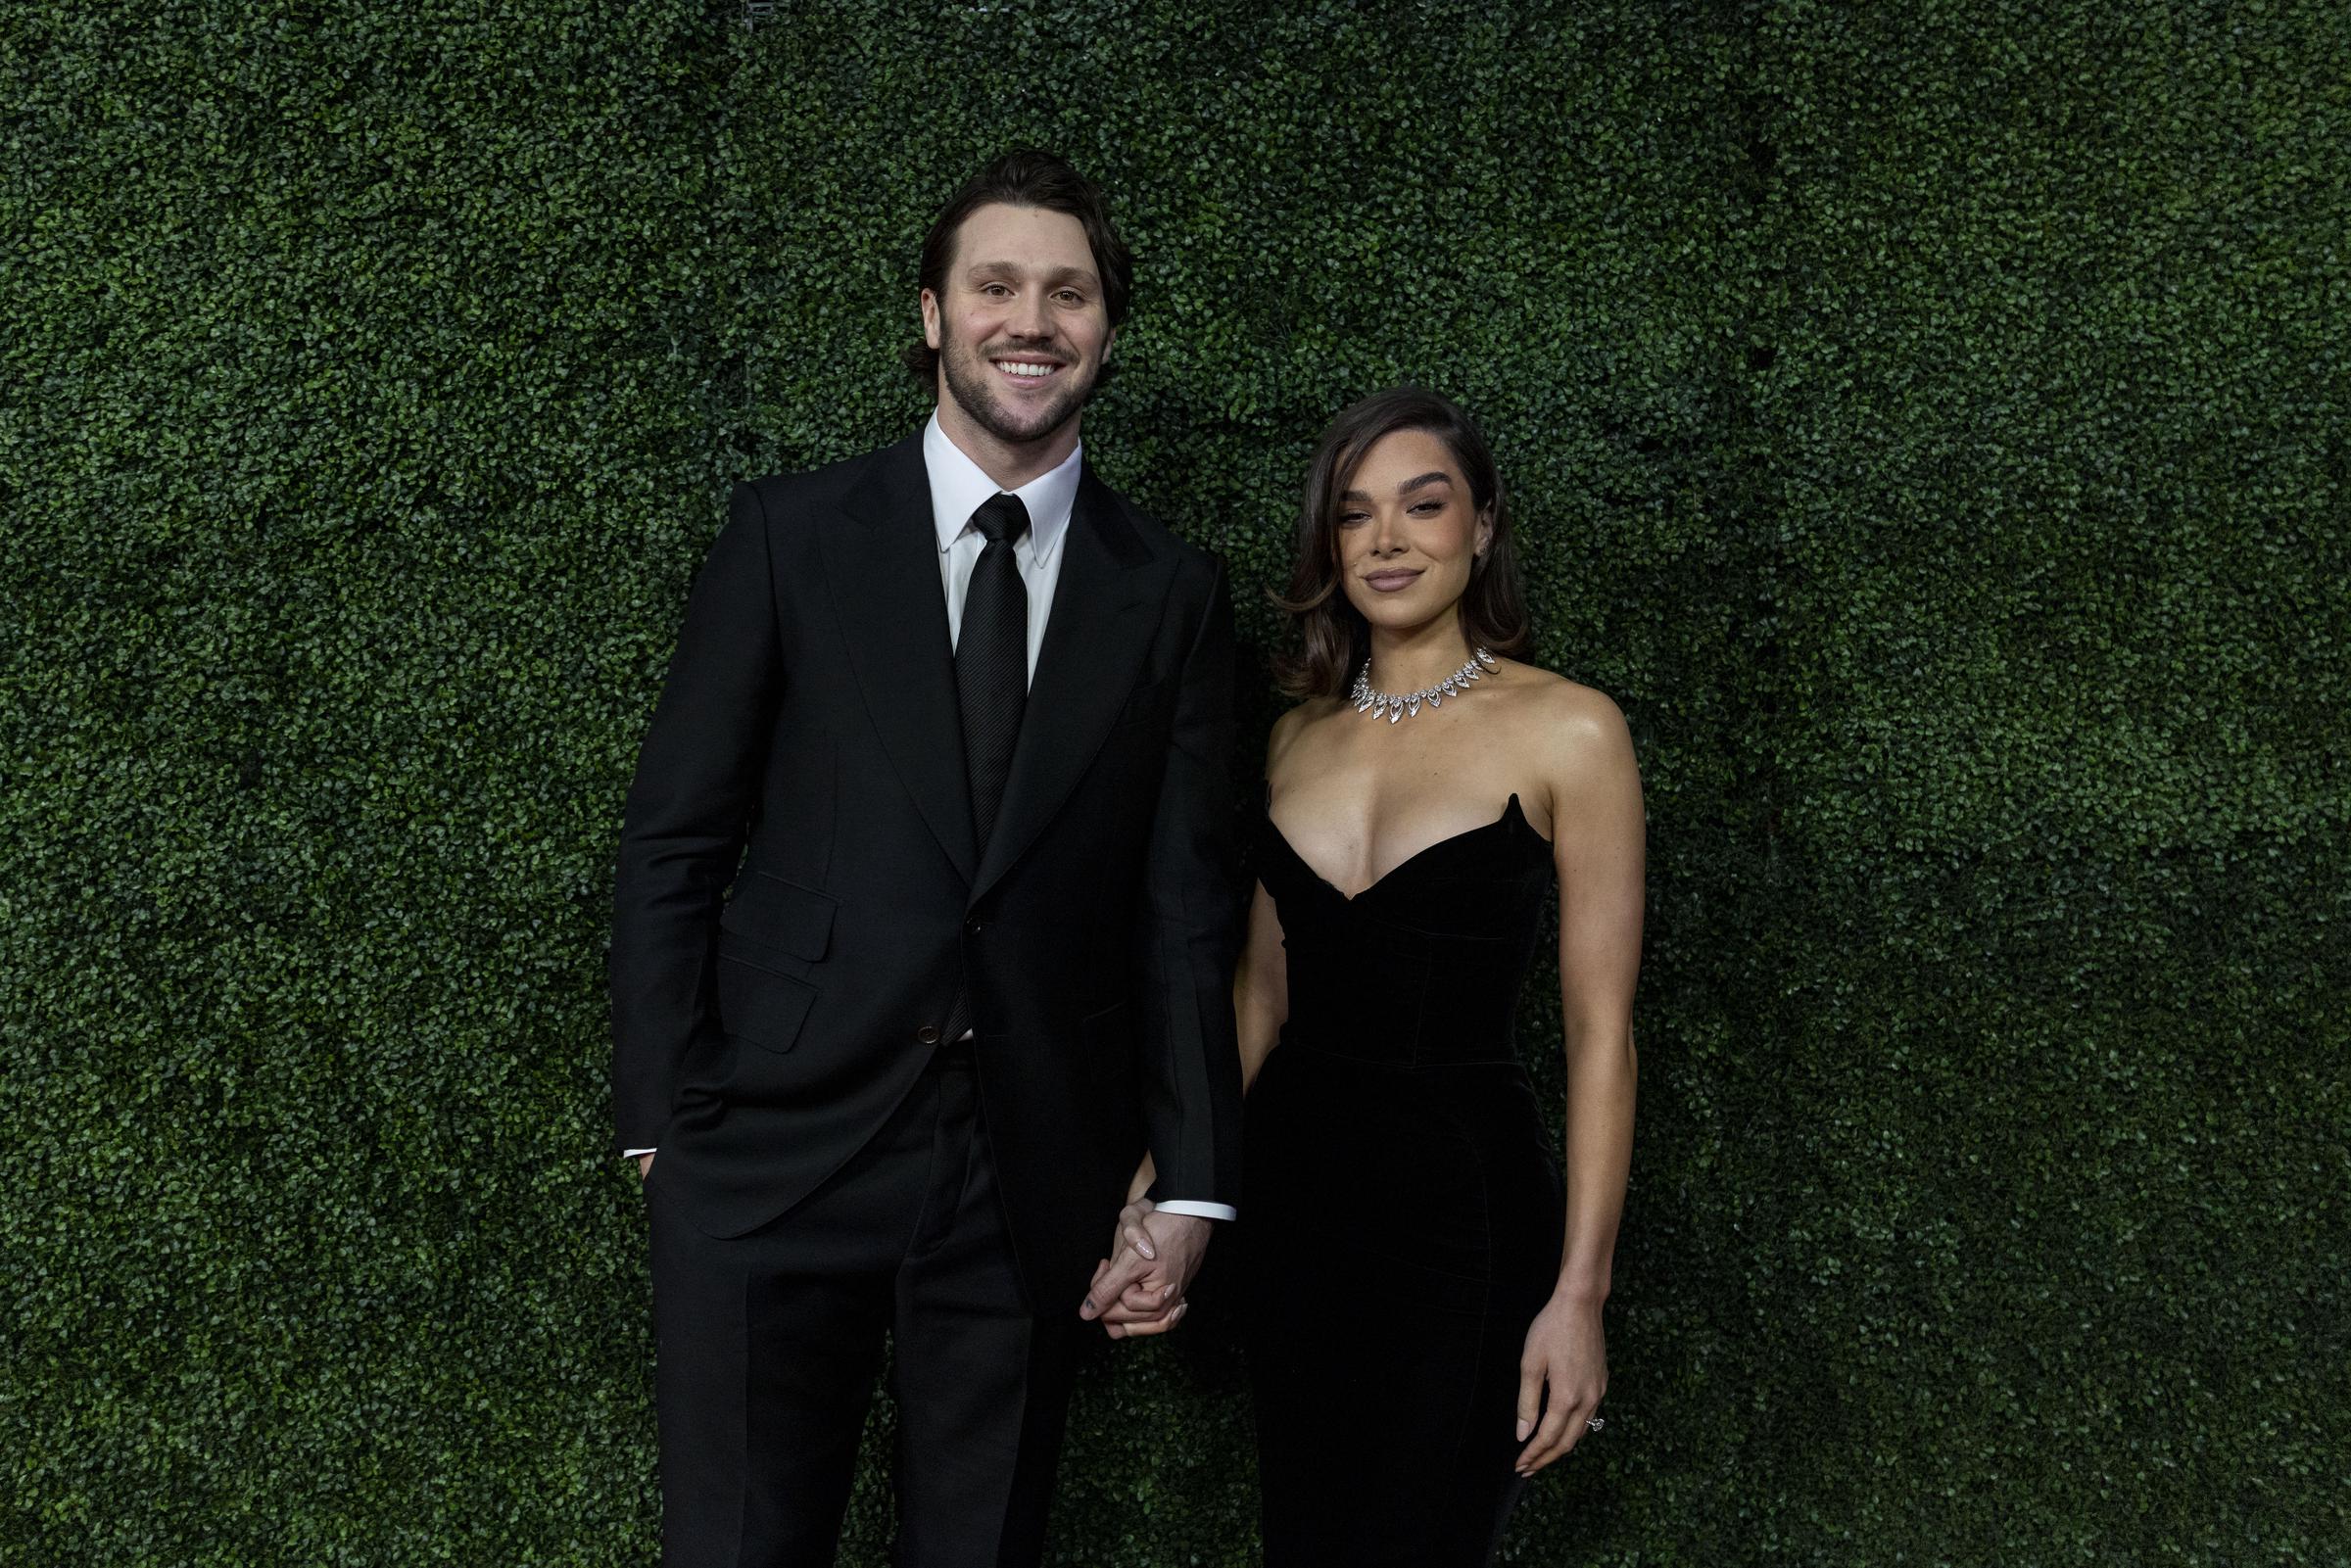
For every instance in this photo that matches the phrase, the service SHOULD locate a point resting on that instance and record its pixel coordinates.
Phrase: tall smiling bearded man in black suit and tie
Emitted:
(972, 716)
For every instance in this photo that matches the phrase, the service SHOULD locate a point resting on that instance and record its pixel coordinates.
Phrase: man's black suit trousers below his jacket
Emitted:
(770, 1346)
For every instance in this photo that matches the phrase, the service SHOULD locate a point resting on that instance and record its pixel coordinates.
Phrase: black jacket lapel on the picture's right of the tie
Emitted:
(1106, 610)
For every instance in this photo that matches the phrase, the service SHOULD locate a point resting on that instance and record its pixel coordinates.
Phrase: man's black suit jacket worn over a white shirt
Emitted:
(810, 711)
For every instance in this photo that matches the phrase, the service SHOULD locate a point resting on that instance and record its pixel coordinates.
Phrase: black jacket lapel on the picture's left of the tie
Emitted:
(883, 570)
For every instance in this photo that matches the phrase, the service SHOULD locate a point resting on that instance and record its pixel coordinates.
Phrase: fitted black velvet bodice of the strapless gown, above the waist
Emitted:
(1424, 967)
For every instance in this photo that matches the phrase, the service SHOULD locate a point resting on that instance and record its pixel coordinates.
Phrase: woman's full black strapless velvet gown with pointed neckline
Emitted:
(1402, 1212)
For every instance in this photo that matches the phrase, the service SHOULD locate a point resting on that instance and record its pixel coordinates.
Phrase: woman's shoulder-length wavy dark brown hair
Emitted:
(1332, 634)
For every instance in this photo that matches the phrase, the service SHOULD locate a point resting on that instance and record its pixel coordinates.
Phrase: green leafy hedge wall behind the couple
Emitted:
(1927, 420)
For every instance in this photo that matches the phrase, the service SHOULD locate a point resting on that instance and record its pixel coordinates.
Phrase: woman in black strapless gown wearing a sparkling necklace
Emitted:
(1424, 1294)
